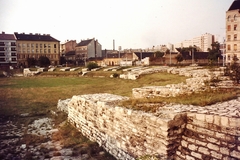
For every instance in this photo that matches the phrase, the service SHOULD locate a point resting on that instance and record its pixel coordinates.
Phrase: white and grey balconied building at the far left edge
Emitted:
(8, 54)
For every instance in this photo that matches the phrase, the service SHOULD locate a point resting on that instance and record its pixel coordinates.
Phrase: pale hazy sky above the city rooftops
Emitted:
(131, 23)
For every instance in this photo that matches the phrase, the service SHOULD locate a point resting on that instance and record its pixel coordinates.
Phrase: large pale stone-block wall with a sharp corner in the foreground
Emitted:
(174, 131)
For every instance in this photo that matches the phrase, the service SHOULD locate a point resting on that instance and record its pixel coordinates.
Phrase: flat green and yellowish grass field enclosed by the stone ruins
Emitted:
(41, 94)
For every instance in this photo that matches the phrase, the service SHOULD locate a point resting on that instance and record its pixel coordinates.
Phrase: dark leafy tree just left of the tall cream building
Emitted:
(214, 53)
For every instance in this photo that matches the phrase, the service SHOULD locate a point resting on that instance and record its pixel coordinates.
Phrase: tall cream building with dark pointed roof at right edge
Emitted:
(233, 31)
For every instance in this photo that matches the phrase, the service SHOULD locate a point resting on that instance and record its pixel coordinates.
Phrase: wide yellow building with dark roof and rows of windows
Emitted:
(35, 46)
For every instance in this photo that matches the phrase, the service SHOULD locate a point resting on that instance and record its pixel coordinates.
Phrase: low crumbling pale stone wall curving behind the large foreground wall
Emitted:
(198, 78)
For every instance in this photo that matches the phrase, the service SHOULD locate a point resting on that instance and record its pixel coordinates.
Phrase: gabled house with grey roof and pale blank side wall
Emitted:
(86, 49)
